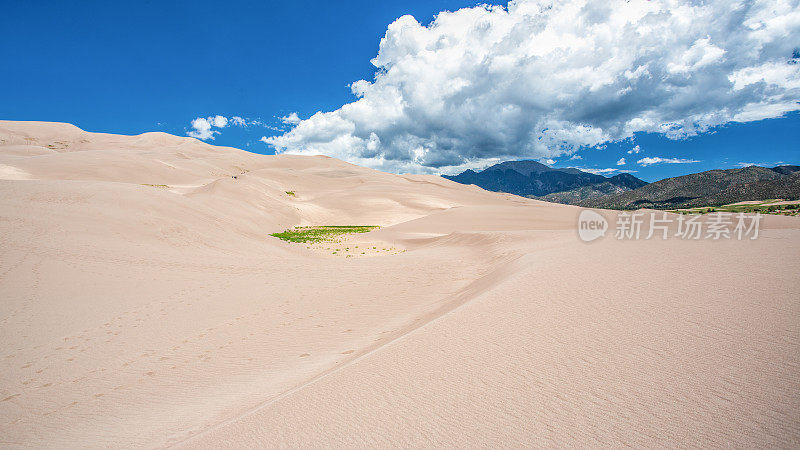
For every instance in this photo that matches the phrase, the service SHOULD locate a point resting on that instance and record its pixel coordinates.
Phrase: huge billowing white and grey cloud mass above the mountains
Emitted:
(541, 79)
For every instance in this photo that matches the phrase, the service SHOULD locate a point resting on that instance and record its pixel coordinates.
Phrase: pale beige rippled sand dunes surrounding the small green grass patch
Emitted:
(144, 304)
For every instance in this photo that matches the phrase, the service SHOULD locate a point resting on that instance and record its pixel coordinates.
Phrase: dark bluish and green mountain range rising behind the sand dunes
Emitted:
(624, 191)
